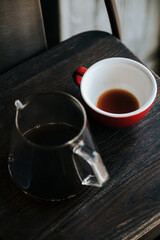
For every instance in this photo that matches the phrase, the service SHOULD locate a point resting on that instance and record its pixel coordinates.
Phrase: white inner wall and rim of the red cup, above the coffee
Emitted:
(118, 73)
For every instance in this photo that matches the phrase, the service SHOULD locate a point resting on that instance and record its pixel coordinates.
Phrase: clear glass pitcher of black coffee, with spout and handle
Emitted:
(53, 156)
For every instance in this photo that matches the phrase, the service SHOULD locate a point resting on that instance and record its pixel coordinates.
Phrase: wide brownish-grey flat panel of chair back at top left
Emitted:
(21, 31)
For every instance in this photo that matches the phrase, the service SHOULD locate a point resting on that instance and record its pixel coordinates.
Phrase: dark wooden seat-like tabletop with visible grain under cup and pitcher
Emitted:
(128, 206)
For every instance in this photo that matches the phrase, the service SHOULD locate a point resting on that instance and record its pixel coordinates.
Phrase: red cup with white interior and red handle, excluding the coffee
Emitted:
(117, 73)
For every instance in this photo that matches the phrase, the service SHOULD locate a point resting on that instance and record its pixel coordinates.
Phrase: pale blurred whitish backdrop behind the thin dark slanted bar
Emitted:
(139, 19)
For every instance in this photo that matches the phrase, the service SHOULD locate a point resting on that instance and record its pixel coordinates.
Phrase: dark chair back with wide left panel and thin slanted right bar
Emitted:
(28, 27)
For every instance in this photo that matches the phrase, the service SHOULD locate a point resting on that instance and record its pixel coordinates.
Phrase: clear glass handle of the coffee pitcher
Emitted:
(99, 173)
